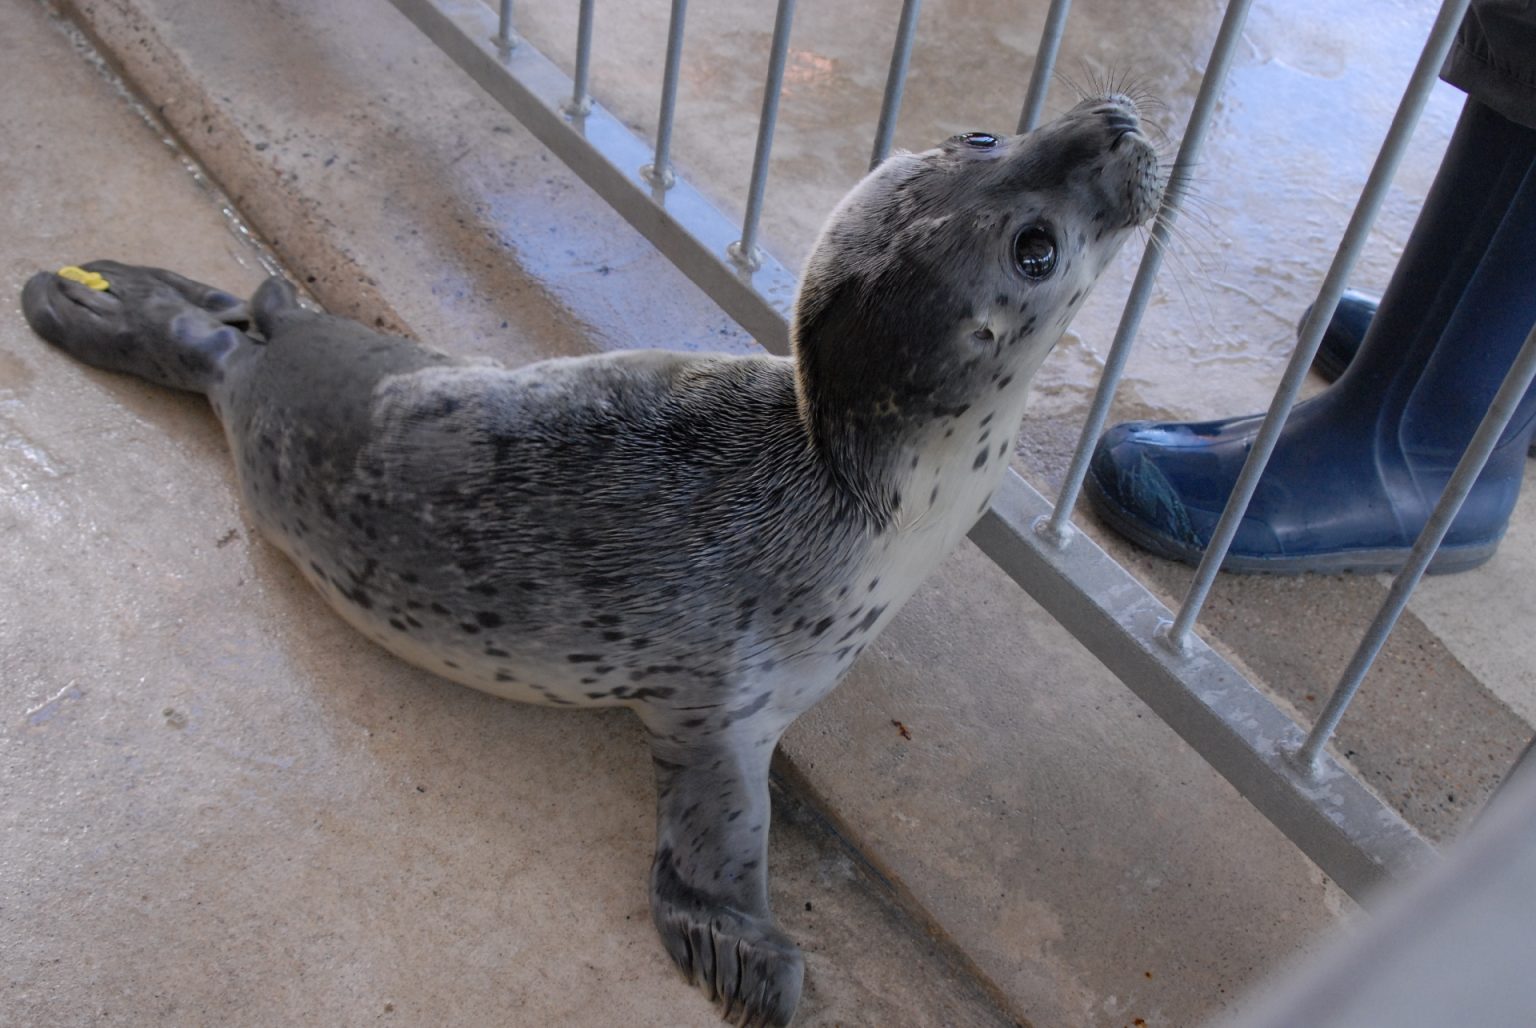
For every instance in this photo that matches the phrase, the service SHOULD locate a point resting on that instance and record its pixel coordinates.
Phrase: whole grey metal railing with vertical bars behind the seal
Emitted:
(1277, 766)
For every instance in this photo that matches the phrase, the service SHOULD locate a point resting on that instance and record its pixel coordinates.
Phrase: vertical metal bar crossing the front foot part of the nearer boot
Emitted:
(1386, 167)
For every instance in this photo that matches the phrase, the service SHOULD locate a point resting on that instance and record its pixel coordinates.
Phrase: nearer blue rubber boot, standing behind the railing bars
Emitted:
(1359, 469)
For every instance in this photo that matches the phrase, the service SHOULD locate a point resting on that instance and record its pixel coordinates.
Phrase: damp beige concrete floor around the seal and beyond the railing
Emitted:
(227, 807)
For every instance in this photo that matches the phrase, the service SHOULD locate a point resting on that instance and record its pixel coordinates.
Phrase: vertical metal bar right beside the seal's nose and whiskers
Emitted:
(1059, 528)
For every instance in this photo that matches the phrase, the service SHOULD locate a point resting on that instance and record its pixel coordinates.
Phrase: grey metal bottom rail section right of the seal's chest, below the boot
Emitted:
(1337, 821)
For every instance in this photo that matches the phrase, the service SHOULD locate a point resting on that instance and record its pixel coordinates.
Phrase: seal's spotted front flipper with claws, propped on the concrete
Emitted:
(710, 878)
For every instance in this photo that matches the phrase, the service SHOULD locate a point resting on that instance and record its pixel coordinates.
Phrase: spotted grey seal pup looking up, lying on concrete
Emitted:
(709, 542)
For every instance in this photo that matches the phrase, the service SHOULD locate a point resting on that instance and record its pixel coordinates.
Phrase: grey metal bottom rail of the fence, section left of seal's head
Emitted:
(609, 158)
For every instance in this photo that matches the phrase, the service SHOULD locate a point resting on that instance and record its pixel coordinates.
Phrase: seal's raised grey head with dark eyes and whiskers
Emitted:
(956, 270)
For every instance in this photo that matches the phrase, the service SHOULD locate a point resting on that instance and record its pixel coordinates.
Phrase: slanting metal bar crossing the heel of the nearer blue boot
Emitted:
(1462, 482)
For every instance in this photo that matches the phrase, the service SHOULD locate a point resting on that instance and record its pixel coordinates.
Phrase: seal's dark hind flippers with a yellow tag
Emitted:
(145, 322)
